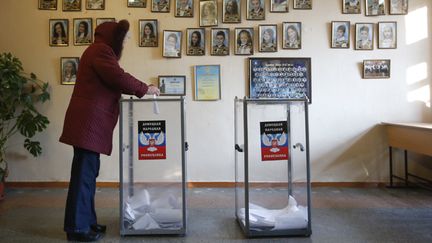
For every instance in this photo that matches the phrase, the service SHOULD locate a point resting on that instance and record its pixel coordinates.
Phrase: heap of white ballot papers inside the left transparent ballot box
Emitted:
(145, 213)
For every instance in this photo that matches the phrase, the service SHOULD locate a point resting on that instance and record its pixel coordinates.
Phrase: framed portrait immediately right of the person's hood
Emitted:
(148, 32)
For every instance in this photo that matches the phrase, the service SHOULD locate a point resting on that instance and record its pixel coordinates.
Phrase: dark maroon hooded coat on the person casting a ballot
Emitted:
(94, 106)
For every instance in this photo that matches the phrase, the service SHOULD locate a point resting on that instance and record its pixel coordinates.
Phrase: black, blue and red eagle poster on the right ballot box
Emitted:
(274, 140)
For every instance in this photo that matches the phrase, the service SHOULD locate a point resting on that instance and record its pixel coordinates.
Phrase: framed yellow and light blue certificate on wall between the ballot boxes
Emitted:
(207, 82)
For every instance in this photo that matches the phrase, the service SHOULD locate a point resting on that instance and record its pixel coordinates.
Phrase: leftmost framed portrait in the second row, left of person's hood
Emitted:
(59, 32)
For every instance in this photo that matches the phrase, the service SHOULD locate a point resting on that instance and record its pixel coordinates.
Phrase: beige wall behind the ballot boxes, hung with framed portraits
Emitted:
(346, 143)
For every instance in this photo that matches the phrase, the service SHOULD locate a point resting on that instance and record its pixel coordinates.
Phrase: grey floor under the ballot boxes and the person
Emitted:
(338, 215)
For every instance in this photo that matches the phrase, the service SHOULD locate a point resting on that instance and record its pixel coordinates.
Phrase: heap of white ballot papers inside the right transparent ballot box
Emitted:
(290, 217)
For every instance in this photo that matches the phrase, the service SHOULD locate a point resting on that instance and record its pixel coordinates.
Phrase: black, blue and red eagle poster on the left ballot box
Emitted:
(151, 140)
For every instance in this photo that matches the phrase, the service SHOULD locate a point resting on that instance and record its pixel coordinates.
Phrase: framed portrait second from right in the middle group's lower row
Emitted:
(267, 36)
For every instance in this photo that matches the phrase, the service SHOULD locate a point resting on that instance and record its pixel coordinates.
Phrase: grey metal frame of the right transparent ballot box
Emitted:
(239, 149)
